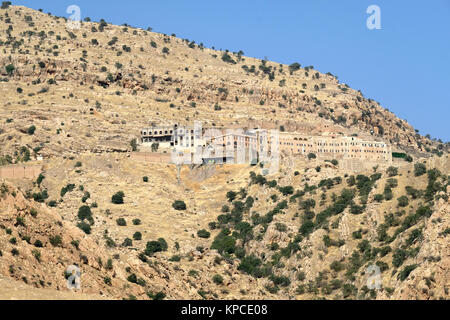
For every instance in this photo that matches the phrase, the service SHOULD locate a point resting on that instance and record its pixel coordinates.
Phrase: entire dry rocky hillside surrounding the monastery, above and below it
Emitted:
(139, 231)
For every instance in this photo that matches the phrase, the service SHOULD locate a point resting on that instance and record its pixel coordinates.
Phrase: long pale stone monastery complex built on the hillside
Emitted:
(332, 146)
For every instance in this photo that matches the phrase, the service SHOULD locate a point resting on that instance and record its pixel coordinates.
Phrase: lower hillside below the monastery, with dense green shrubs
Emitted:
(307, 232)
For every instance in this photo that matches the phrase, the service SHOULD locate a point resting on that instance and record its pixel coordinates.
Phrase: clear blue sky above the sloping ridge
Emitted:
(405, 66)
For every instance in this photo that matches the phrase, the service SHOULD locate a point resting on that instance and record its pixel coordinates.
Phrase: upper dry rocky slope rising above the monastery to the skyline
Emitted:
(93, 88)
